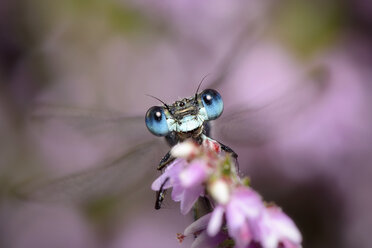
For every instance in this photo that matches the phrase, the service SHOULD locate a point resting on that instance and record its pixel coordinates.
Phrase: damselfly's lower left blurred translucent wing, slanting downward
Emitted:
(122, 176)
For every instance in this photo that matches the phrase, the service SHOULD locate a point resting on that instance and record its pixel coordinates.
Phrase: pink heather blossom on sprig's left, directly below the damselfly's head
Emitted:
(186, 180)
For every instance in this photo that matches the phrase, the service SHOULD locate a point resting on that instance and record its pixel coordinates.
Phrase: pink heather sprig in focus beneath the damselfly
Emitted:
(240, 218)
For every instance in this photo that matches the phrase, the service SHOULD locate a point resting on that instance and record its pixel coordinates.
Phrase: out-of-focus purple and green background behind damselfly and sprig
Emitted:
(295, 77)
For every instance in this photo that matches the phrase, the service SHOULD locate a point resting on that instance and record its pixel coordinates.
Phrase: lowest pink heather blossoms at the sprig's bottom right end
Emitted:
(249, 221)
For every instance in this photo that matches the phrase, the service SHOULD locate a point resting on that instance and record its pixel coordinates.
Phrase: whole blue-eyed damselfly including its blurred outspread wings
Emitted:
(130, 150)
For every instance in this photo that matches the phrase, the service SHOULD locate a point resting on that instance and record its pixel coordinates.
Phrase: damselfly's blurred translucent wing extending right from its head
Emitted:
(255, 126)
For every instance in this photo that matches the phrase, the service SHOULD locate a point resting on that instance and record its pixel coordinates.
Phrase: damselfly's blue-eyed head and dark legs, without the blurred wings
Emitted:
(185, 119)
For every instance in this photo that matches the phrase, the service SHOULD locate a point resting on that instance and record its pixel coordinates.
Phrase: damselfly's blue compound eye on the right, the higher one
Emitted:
(213, 103)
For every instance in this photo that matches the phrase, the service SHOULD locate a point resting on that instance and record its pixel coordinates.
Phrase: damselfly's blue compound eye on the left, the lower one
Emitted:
(156, 121)
